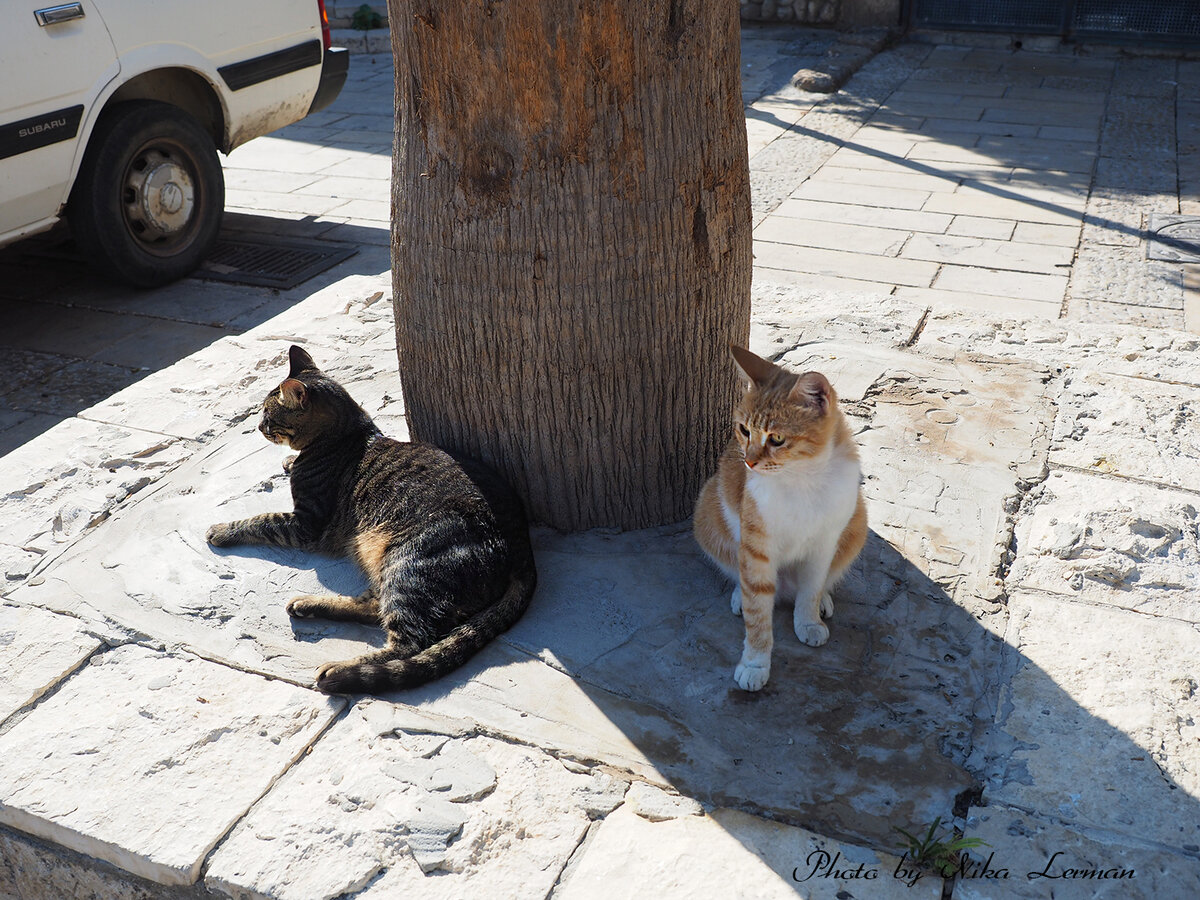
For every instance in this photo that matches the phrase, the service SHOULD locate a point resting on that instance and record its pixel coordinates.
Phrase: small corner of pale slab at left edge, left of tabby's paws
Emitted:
(40, 650)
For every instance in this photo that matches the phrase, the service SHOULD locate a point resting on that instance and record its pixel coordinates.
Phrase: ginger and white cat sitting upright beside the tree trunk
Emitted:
(784, 514)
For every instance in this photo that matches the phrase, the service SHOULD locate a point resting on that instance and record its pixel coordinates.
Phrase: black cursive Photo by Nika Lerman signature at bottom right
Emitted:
(821, 865)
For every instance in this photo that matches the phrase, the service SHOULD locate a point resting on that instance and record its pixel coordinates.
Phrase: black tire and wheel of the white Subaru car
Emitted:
(148, 202)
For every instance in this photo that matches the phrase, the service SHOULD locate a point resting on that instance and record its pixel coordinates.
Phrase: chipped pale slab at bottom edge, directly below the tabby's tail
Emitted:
(388, 813)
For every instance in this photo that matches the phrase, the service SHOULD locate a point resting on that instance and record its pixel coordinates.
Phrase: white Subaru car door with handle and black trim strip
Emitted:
(55, 61)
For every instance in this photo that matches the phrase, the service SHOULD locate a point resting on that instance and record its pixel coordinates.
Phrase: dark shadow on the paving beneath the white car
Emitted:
(74, 338)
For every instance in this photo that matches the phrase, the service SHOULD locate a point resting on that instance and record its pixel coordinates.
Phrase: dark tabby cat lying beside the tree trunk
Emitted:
(443, 541)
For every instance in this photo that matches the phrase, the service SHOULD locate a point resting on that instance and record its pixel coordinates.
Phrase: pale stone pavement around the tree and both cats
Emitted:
(952, 241)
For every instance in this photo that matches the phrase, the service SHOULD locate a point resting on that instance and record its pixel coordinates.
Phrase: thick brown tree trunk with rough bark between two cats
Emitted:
(572, 244)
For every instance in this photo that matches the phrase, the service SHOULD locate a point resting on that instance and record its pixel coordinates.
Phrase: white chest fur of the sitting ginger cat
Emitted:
(806, 506)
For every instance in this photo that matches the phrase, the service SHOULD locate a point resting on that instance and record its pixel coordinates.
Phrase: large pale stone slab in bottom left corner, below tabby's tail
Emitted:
(173, 735)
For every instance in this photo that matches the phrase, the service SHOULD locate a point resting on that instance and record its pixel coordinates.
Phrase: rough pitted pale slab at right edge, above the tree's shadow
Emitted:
(1112, 542)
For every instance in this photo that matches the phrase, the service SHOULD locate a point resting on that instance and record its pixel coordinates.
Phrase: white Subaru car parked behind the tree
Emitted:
(112, 113)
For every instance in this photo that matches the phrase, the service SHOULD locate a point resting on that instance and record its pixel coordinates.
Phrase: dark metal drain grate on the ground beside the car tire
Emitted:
(271, 262)
